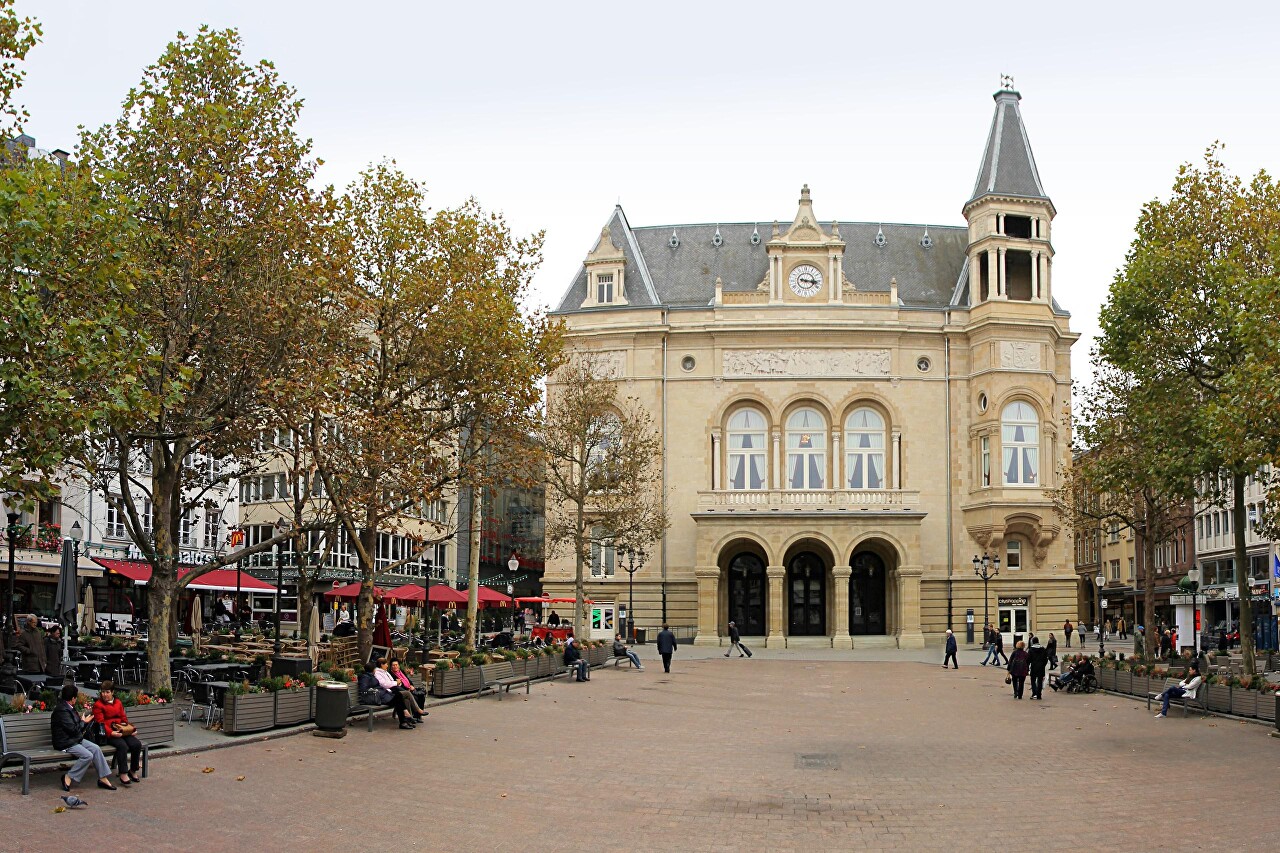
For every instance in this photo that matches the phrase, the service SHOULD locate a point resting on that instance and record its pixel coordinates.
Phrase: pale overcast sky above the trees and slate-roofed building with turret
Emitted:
(684, 112)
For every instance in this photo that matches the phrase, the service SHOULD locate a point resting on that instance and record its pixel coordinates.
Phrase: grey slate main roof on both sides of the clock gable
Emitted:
(685, 276)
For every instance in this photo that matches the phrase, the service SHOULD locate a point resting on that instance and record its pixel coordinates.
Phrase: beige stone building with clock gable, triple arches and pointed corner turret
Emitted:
(851, 412)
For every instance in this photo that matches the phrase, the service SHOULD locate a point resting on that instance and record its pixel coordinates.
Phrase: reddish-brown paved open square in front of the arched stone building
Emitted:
(738, 755)
